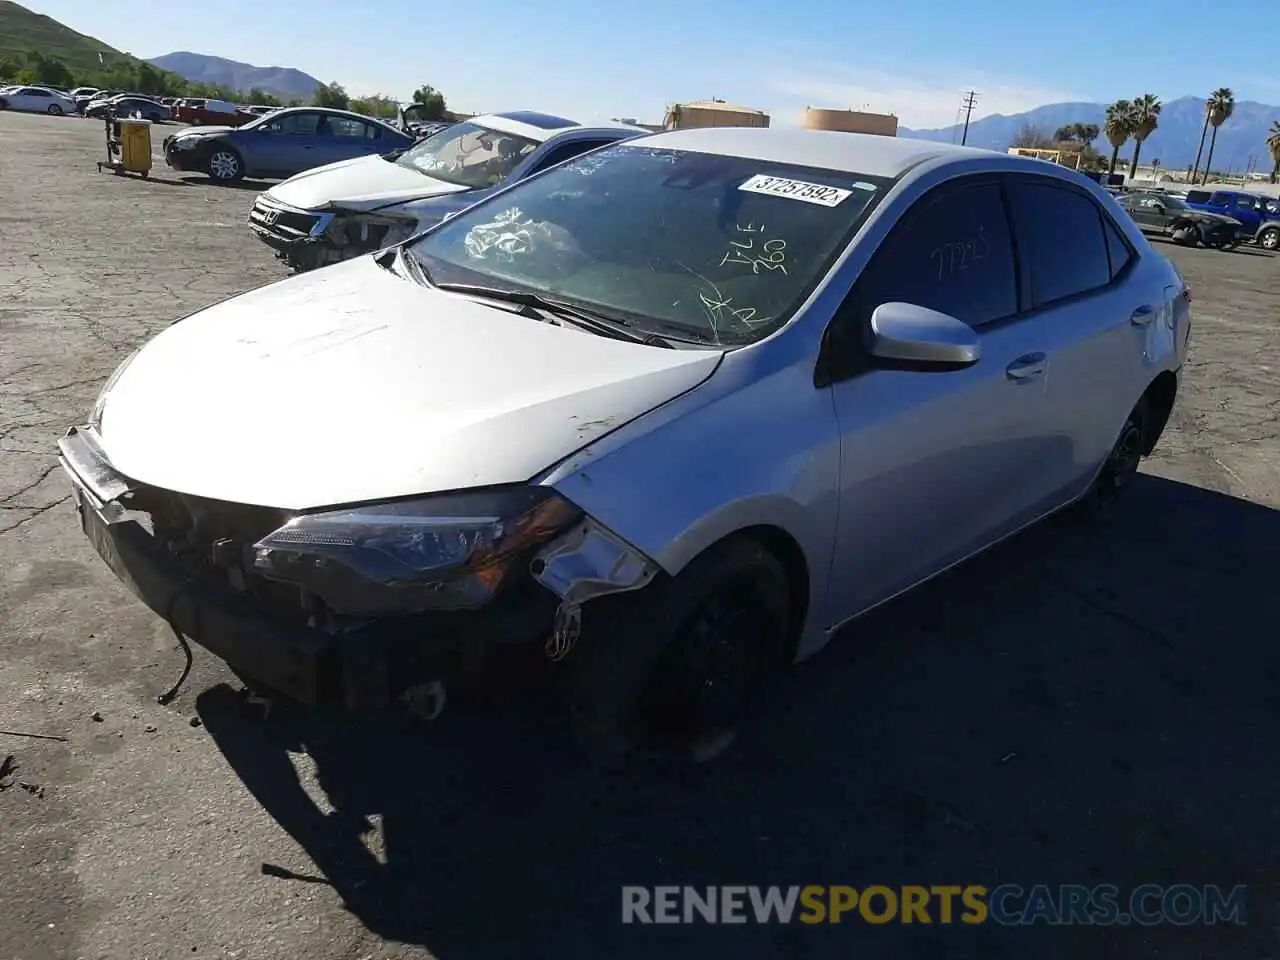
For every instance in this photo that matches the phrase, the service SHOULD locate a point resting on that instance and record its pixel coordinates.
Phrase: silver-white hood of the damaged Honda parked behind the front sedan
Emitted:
(362, 185)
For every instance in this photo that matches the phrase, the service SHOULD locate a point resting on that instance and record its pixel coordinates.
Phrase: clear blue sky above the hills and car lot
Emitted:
(913, 58)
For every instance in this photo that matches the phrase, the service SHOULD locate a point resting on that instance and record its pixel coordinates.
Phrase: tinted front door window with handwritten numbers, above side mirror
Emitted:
(952, 253)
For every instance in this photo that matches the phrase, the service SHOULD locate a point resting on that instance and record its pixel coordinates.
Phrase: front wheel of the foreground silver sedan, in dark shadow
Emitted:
(671, 671)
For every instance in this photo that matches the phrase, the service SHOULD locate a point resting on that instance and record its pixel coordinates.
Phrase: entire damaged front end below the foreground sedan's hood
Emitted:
(358, 607)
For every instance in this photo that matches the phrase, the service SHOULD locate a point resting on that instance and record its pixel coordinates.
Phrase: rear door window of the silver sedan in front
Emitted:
(1062, 241)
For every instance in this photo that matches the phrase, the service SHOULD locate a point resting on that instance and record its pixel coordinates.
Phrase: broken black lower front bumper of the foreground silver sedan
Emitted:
(365, 668)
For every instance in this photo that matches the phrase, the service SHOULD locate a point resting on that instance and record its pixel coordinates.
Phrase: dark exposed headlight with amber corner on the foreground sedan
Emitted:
(447, 552)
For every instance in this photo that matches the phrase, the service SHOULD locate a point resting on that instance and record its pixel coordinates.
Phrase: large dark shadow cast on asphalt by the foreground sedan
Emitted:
(1080, 706)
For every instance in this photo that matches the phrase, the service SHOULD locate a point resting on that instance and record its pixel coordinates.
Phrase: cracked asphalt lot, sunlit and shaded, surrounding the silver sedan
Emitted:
(1077, 708)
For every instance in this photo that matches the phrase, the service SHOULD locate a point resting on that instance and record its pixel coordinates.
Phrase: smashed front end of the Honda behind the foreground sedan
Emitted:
(312, 239)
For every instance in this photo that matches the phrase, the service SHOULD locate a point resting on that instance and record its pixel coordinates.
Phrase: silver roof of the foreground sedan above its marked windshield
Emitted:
(849, 153)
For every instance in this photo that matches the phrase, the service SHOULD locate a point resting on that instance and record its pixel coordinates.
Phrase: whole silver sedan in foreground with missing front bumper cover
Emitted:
(675, 410)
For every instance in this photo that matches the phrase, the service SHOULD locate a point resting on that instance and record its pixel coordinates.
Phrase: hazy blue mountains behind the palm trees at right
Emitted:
(1173, 144)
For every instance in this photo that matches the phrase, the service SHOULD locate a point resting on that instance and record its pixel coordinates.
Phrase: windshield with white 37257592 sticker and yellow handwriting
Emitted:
(708, 248)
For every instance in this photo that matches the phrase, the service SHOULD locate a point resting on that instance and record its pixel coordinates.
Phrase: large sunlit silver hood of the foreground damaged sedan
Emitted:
(353, 385)
